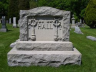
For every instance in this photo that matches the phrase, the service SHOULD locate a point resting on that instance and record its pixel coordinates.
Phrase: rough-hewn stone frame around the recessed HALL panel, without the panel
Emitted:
(44, 11)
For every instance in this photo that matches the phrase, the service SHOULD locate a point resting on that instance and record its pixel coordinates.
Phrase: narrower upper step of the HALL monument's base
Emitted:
(44, 46)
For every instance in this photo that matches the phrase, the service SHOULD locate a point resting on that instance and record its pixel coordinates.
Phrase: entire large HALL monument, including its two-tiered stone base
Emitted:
(44, 39)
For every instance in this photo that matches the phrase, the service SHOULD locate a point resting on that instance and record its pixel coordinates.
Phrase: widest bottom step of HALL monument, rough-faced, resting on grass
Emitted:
(43, 58)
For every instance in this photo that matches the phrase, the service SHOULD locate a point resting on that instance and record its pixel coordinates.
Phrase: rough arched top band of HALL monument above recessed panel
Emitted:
(42, 11)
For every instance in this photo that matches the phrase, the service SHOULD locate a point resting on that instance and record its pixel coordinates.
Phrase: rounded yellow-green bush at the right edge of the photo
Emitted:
(90, 14)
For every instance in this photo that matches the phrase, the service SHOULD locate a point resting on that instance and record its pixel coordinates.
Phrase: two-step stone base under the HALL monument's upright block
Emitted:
(52, 54)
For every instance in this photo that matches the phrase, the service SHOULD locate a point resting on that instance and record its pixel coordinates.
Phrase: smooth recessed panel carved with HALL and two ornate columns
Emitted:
(47, 28)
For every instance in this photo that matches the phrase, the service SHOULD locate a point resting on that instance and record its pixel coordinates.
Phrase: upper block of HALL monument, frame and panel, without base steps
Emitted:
(44, 24)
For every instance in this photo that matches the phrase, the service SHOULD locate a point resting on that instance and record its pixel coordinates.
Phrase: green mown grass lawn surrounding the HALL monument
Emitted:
(86, 47)
